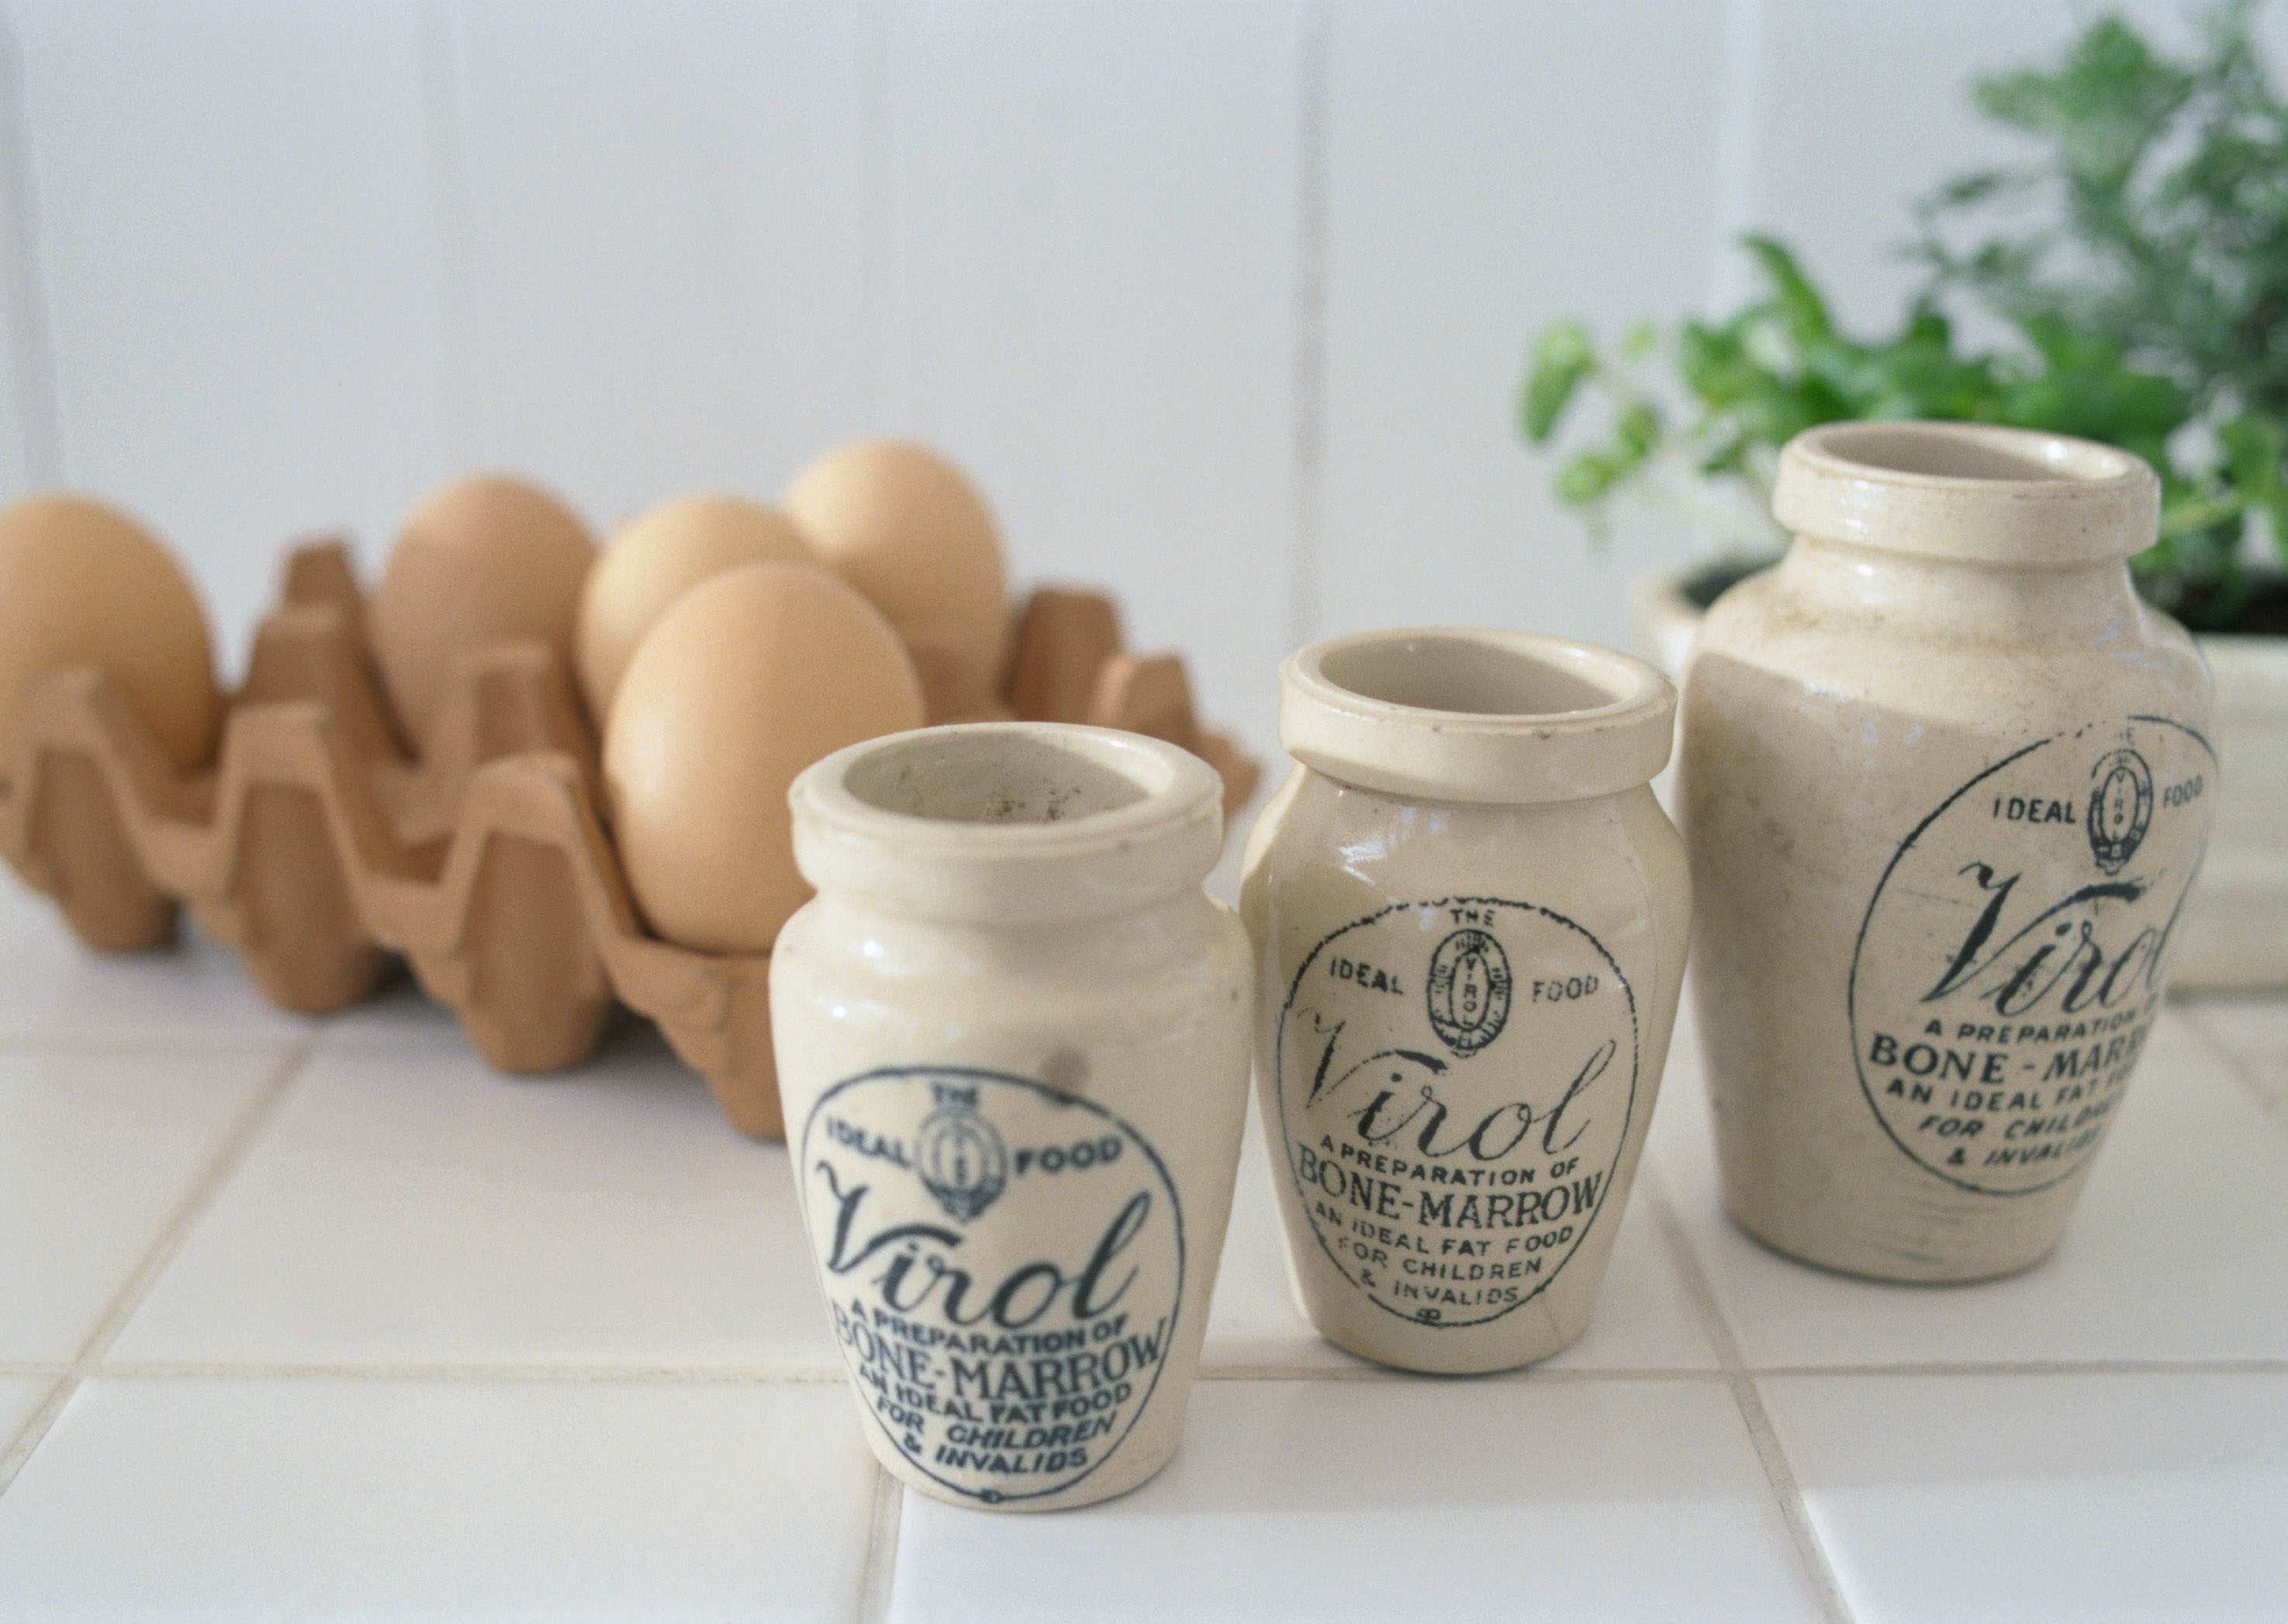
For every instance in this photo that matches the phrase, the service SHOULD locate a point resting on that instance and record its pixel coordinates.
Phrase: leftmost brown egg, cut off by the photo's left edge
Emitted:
(86, 587)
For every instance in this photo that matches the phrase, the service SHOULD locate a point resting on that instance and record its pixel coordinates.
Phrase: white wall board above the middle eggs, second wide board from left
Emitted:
(665, 237)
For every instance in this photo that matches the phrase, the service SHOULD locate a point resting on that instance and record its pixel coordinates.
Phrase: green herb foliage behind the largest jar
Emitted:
(2138, 262)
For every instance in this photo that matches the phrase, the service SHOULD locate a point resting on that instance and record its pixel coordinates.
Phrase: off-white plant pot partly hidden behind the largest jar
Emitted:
(2234, 932)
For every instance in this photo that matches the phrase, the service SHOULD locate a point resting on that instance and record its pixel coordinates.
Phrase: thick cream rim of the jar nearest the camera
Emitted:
(1003, 822)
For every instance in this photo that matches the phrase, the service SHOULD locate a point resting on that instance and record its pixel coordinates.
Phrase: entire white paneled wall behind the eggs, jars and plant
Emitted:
(1223, 303)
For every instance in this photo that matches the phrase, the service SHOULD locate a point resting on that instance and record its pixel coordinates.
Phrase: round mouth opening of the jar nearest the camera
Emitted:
(1001, 777)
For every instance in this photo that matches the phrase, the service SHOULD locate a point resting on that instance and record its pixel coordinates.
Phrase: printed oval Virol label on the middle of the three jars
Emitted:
(1456, 1083)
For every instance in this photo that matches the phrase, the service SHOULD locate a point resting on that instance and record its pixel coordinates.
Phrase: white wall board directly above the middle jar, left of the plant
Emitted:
(1493, 168)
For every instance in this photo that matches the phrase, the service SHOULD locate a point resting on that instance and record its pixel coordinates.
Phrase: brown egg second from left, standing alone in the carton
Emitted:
(482, 562)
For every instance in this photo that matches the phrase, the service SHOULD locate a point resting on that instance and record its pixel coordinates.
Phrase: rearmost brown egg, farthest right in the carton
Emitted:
(909, 532)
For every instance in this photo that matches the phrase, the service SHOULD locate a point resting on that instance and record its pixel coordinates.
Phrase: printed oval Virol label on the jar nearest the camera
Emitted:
(1003, 1266)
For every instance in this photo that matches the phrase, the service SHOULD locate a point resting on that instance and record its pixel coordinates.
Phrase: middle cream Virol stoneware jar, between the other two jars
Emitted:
(1470, 925)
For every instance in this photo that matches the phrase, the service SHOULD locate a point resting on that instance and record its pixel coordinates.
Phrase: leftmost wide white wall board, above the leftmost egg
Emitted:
(237, 253)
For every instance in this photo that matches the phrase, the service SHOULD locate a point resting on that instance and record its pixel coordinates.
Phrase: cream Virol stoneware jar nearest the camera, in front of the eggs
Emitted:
(1012, 1046)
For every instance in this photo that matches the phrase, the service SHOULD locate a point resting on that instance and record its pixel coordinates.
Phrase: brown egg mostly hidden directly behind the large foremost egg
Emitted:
(656, 559)
